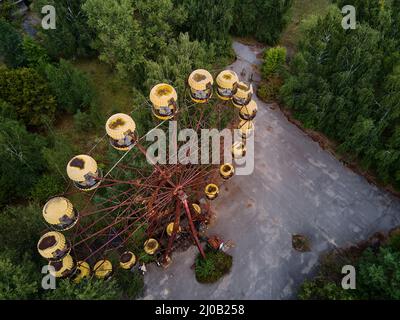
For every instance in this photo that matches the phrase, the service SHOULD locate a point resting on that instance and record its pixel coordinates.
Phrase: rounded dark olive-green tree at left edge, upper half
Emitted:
(29, 93)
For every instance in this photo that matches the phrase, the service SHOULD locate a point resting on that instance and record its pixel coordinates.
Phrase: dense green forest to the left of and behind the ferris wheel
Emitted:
(48, 102)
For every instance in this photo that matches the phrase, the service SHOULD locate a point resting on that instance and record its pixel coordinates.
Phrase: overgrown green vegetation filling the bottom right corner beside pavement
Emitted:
(377, 264)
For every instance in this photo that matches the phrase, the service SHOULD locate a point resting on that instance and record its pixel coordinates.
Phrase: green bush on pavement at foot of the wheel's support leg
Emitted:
(214, 267)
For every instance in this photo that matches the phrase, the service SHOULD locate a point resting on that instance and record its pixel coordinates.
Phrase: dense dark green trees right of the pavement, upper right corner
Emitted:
(346, 84)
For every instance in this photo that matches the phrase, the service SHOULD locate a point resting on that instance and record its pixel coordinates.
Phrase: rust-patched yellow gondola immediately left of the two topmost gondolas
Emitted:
(164, 99)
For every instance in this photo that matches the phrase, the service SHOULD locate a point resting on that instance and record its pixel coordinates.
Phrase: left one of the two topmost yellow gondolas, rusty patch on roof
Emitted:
(200, 83)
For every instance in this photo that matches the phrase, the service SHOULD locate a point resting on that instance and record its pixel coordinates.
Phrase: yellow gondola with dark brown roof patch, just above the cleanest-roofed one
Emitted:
(83, 171)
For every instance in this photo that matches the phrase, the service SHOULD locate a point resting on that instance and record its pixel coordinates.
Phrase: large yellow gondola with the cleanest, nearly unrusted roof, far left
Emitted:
(60, 213)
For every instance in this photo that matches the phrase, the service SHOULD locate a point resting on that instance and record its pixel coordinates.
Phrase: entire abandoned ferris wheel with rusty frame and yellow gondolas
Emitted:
(109, 208)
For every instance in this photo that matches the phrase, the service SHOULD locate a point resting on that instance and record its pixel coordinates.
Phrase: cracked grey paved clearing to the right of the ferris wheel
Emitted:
(296, 188)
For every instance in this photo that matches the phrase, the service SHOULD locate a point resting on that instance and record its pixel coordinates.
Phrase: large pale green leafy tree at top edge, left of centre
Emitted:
(141, 32)
